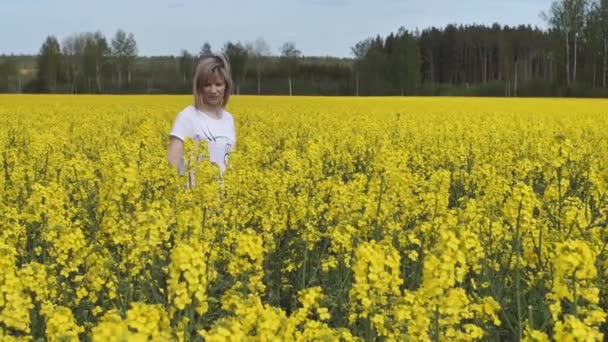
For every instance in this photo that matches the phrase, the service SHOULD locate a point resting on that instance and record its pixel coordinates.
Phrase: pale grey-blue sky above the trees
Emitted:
(317, 27)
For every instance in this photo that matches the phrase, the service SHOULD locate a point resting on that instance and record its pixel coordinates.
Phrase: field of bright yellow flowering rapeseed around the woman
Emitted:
(338, 218)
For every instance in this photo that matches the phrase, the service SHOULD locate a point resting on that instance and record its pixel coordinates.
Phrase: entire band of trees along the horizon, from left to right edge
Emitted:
(569, 58)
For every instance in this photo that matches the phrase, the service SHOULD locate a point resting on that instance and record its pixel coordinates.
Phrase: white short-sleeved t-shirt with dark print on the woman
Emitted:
(219, 134)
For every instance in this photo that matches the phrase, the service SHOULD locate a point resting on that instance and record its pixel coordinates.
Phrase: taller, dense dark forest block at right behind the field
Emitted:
(570, 58)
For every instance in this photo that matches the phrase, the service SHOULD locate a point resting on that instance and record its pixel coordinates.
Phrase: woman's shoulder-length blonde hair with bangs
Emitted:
(206, 68)
